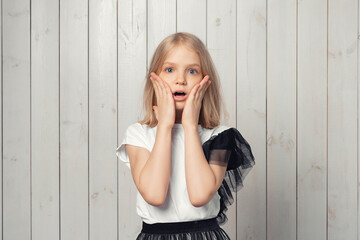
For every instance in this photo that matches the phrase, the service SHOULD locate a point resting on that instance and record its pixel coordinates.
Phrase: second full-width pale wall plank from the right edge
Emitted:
(312, 120)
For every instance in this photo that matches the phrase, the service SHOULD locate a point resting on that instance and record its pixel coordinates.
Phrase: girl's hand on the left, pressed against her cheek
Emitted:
(165, 111)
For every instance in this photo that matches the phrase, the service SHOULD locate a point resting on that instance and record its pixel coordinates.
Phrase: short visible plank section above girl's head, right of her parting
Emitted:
(191, 17)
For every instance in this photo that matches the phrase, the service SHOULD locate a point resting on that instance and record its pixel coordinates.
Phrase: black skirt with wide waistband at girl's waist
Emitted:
(193, 230)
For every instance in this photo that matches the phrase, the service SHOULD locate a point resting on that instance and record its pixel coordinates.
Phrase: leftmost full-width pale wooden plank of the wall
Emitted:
(16, 120)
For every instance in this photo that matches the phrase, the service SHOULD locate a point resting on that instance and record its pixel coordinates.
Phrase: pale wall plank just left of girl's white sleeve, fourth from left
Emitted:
(102, 119)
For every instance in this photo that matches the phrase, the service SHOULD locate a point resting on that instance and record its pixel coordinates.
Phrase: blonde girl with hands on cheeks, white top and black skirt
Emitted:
(183, 162)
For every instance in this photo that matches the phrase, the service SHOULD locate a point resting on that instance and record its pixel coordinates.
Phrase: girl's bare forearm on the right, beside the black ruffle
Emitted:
(200, 179)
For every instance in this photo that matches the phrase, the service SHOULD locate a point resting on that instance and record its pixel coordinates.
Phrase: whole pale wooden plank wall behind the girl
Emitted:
(72, 75)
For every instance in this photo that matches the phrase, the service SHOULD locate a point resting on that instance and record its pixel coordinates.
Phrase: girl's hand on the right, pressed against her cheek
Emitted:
(191, 111)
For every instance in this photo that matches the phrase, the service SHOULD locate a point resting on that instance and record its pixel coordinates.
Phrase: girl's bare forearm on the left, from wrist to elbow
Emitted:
(155, 175)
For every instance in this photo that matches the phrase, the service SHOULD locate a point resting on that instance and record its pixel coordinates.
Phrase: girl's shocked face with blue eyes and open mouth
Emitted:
(181, 71)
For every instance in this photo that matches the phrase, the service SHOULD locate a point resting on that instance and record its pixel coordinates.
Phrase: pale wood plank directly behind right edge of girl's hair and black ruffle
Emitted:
(221, 43)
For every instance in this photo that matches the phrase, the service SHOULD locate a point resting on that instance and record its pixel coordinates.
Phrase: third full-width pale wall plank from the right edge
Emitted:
(281, 120)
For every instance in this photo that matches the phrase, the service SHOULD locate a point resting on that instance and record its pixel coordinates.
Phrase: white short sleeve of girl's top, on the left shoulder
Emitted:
(134, 135)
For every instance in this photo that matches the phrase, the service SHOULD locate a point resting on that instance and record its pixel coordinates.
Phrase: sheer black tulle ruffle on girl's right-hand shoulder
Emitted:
(236, 153)
